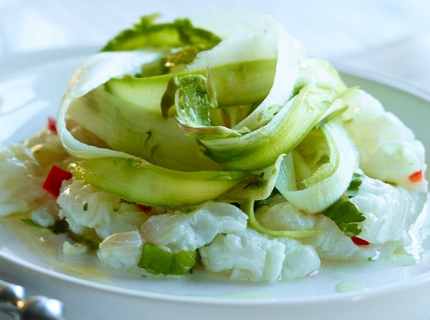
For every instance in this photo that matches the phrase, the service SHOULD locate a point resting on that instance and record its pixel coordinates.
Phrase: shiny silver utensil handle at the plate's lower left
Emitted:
(14, 302)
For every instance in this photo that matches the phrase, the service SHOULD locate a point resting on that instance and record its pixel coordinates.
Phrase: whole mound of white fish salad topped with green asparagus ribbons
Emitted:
(215, 142)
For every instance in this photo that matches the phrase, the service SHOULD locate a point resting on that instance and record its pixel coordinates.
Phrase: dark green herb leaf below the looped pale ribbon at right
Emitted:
(346, 216)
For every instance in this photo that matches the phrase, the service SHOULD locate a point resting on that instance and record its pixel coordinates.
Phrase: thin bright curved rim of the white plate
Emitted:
(74, 52)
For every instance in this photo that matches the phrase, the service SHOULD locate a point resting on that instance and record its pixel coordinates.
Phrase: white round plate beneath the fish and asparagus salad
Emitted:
(28, 95)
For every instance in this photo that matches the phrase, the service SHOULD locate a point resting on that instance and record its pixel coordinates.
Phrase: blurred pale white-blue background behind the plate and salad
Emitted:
(387, 36)
